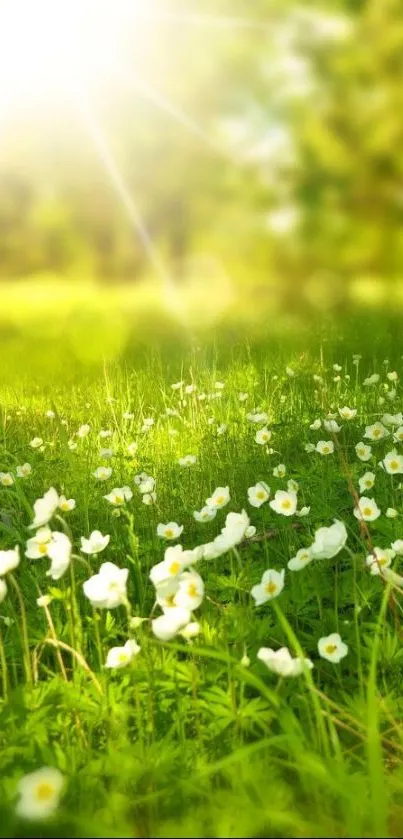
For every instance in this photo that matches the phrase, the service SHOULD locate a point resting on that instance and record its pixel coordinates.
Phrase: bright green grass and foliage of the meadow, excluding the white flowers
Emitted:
(187, 740)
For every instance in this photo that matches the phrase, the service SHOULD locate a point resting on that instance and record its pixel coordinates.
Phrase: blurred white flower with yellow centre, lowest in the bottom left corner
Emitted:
(39, 793)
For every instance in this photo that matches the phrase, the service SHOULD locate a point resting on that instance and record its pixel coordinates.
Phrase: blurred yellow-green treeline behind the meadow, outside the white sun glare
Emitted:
(270, 144)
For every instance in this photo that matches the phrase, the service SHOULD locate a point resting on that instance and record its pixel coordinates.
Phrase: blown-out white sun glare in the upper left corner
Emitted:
(49, 48)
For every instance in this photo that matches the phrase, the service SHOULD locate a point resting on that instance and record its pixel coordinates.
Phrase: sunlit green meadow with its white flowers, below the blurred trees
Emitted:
(158, 700)
